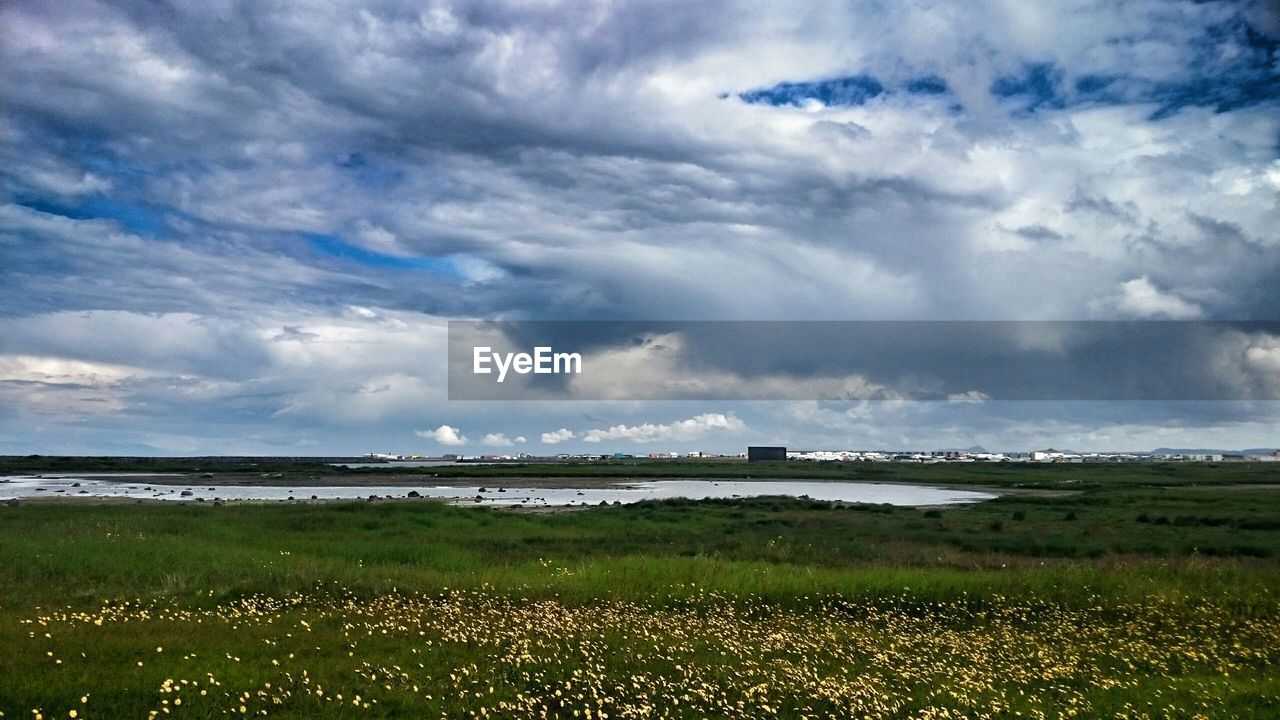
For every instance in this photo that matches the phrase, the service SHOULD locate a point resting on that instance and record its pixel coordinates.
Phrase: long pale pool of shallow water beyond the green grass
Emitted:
(71, 486)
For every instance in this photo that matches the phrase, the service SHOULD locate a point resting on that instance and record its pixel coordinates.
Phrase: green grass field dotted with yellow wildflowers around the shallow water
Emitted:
(1136, 591)
